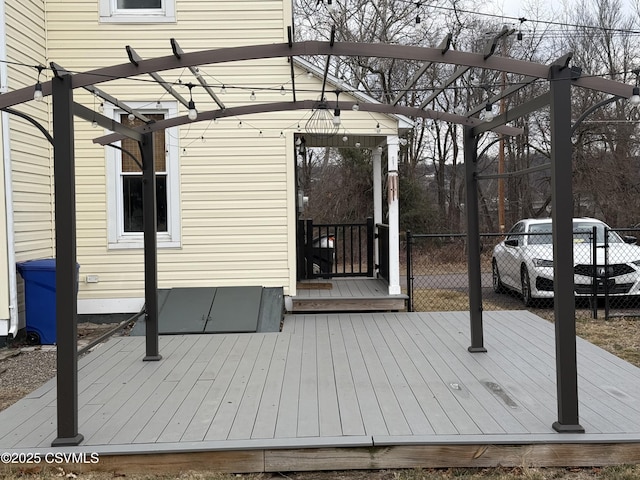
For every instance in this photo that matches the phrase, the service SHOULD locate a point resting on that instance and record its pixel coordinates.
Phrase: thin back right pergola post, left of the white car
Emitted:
(473, 241)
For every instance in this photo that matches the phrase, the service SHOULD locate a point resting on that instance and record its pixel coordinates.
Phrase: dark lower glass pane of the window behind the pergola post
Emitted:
(132, 202)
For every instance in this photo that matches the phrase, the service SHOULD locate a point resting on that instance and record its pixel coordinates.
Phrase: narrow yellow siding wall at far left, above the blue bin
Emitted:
(29, 154)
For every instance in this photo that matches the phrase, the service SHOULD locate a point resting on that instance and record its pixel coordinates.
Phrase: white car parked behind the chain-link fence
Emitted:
(523, 261)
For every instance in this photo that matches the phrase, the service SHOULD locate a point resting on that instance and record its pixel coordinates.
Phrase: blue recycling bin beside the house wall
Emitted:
(40, 299)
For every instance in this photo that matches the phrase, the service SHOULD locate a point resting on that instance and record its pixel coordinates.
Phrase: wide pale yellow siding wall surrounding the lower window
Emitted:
(236, 187)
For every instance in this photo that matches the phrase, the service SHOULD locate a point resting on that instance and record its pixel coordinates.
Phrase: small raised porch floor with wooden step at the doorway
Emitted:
(359, 294)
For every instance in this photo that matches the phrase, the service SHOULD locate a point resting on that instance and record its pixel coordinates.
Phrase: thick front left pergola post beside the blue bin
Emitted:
(66, 263)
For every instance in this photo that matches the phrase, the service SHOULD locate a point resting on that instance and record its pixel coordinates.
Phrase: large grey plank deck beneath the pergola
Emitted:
(340, 391)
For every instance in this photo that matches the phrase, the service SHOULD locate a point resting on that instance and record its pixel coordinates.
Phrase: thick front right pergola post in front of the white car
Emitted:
(560, 78)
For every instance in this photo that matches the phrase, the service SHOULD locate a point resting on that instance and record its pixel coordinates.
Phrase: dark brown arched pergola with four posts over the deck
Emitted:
(560, 76)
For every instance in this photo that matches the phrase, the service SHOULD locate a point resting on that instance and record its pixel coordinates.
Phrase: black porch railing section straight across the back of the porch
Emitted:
(338, 249)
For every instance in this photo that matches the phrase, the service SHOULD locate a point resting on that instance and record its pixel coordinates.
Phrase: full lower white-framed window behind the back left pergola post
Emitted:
(124, 183)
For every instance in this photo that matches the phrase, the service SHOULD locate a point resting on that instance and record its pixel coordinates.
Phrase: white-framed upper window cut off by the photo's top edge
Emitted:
(137, 11)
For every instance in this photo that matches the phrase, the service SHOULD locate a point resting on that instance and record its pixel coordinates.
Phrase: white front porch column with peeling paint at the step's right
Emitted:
(394, 216)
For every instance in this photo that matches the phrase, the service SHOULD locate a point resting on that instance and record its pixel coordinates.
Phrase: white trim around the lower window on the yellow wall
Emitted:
(116, 237)
